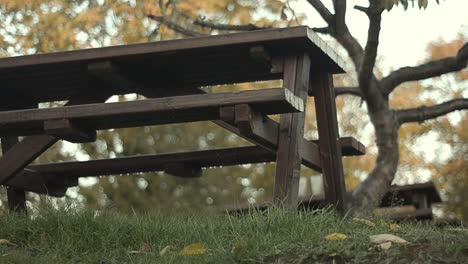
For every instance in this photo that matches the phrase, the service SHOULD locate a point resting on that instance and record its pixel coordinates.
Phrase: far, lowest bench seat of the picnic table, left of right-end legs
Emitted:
(158, 162)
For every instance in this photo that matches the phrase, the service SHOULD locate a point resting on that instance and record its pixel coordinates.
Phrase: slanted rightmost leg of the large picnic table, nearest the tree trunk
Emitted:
(321, 86)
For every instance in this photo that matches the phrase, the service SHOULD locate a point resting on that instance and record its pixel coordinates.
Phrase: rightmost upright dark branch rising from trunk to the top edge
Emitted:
(366, 67)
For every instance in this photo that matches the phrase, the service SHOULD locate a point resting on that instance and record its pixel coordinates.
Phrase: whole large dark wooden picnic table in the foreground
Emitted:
(170, 74)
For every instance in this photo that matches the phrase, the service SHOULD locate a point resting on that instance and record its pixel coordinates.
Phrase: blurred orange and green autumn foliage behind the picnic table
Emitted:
(45, 26)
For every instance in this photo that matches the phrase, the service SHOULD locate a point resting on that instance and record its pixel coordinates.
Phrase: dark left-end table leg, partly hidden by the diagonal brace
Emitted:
(16, 197)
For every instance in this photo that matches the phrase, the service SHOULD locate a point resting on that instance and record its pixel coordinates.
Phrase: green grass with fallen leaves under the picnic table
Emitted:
(276, 236)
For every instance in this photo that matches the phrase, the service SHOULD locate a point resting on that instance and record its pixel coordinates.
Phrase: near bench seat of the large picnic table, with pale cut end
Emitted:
(151, 112)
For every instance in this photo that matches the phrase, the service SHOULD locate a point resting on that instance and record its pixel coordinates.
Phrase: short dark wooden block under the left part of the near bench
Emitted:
(69, 131)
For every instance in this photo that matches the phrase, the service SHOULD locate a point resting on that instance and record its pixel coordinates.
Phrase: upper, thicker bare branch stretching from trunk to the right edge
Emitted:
(425, 71)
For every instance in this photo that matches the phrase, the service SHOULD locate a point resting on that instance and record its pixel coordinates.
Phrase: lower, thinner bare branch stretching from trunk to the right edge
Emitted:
(424, 113)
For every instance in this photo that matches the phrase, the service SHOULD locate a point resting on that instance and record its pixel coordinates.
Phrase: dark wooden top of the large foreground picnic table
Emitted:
(192, 62)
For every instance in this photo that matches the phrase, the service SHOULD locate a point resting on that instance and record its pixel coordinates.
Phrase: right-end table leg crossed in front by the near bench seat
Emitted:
(291, 132)
